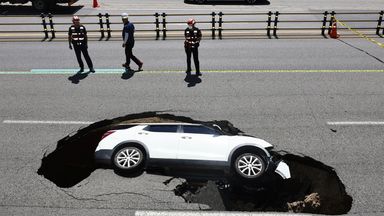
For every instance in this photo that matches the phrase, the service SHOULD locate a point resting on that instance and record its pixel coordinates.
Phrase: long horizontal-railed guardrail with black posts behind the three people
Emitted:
(214, 25)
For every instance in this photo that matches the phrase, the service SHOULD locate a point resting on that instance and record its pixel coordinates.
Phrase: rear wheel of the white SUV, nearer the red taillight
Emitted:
(128, 159)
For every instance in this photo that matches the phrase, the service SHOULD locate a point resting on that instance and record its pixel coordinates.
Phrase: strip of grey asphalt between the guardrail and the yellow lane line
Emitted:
(231, 54)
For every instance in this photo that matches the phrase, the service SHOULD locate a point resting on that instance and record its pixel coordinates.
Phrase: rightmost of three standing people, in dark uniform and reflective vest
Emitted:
(191, 44)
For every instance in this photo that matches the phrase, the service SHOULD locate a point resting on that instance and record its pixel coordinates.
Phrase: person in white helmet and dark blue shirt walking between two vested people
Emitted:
(129, 42)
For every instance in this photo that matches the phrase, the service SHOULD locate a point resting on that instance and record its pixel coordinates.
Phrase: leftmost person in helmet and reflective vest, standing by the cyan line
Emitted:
(77, 35)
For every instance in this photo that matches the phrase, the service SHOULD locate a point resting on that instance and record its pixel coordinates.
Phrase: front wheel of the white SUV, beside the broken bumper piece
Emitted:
(249, 166)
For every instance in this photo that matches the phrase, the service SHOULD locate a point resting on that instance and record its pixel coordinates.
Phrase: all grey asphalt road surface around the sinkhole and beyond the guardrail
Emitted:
(254, 84)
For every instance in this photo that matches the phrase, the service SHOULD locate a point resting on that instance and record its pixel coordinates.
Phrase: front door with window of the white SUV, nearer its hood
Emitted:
(202, 143)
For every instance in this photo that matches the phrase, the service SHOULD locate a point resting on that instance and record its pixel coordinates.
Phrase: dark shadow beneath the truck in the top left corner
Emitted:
(29, 10)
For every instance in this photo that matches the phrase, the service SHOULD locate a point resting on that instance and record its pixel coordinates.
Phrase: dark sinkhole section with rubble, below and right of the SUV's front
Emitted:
(313, 188)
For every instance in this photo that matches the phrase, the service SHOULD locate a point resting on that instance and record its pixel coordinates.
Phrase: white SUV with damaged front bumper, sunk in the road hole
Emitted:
(187, 147)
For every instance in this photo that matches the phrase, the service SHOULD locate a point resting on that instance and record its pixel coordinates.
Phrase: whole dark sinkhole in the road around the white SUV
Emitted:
(313, 188)
